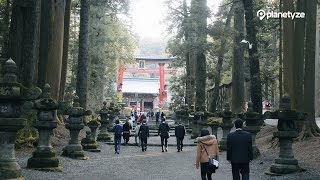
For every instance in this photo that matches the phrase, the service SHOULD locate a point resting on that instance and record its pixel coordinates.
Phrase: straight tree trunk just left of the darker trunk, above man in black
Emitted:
(238, 56)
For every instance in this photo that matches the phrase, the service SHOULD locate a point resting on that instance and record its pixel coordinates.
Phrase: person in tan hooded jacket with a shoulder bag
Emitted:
(207, 145)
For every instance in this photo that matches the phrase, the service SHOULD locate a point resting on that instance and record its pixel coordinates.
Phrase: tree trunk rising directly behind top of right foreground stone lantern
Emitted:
(288, 43)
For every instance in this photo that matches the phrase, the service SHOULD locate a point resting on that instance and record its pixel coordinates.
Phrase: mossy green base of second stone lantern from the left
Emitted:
(44, 160)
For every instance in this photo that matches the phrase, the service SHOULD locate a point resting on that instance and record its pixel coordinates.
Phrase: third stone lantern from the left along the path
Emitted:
(75, 124)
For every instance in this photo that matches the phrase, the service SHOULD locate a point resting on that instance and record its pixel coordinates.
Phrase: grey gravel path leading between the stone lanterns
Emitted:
(151, 165)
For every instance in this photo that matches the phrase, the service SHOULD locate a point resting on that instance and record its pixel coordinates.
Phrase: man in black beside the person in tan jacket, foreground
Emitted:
(239, 151)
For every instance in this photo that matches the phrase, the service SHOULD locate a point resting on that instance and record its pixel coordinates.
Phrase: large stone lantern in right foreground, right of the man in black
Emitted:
(287, 130)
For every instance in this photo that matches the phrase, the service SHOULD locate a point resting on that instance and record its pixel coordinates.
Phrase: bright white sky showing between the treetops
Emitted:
(148, 14)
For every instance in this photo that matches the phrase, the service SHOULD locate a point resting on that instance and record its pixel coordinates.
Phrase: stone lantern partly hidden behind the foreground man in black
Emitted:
(253, 124)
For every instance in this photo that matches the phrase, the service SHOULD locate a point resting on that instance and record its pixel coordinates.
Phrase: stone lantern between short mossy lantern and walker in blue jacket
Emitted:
(104, 114)
